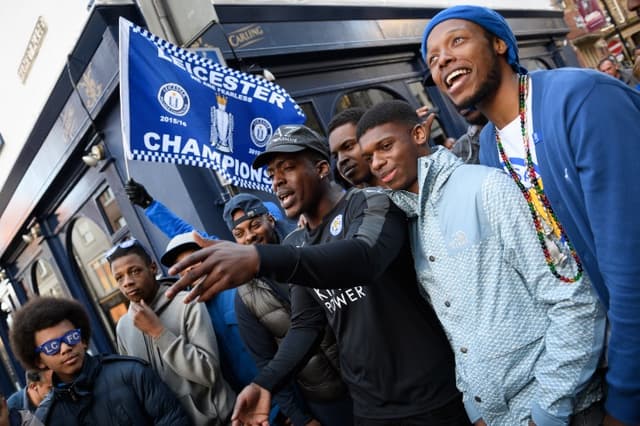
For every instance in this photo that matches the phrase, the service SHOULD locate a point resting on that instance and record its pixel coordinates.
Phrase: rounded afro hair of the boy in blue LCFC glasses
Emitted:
(40, 313)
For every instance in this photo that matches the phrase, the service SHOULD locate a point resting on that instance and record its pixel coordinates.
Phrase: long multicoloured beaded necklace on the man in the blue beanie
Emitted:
(535, 182)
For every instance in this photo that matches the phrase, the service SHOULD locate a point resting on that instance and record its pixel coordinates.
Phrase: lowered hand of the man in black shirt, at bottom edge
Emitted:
(252, 407)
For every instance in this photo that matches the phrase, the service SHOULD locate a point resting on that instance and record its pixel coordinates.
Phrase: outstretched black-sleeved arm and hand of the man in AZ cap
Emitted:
(376, 234)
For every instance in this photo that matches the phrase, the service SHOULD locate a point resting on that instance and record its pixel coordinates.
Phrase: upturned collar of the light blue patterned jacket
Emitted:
(433, 172)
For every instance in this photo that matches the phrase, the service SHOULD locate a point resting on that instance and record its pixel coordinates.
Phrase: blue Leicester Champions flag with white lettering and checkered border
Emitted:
(179, 107)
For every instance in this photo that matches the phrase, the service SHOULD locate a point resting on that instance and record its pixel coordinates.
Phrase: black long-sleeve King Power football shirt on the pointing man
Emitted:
(358, 272)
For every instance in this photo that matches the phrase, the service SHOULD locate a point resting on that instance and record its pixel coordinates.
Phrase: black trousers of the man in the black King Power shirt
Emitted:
(451, 414)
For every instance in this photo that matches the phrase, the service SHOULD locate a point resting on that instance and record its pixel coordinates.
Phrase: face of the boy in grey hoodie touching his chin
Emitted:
(135, 277)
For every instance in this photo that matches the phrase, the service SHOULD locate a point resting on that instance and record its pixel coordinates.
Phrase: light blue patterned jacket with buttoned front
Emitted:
(526, 344)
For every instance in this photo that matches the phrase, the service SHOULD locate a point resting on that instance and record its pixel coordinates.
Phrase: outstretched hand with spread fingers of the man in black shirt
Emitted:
(218, 266)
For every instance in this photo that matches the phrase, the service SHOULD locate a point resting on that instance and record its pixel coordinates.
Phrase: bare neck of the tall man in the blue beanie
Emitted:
(502, 107)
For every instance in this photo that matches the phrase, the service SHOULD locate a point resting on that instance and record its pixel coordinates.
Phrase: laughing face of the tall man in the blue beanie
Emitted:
(465, 61)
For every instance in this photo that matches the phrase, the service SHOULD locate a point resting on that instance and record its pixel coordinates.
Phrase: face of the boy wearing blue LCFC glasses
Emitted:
(67, 363)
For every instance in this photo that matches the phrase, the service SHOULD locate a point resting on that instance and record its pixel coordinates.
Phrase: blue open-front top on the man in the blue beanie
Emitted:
(587, 140)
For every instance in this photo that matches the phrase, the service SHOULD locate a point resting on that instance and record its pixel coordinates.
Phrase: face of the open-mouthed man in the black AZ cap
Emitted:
(298, 182)
